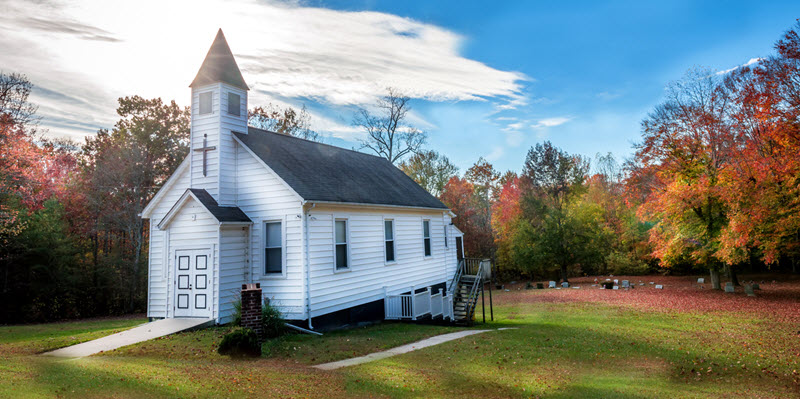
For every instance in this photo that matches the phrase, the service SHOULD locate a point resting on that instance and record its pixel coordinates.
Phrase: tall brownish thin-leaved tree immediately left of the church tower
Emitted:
(124, 168)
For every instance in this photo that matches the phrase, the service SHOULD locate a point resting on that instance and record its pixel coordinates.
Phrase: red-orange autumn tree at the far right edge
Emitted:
(761, 186)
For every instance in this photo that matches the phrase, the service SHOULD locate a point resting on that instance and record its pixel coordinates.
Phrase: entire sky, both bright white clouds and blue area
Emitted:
(487, 80)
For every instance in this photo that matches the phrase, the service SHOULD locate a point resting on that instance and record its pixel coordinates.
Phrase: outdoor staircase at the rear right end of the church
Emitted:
(465, 288)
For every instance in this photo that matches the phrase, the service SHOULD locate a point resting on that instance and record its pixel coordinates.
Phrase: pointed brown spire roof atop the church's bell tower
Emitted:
(219, 66)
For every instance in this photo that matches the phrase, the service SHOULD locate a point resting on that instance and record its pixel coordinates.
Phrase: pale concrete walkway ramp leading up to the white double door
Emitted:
(145, 332)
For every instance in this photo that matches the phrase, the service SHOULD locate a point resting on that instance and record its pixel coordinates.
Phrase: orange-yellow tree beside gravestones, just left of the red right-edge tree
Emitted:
(686, 145)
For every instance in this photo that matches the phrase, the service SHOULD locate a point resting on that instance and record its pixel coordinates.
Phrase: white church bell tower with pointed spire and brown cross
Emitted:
(219, 107)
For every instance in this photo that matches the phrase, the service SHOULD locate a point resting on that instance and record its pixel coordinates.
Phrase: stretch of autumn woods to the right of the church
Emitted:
(713, 186)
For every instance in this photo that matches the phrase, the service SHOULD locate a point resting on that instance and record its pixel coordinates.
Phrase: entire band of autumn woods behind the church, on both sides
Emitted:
(712, 187)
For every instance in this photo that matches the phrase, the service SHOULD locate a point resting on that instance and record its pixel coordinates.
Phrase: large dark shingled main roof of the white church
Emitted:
(321, 172)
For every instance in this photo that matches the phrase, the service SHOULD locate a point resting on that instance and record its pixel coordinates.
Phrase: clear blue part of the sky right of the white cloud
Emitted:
(601, 65)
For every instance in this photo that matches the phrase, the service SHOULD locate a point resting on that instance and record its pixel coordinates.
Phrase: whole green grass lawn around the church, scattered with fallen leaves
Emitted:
(569, 347)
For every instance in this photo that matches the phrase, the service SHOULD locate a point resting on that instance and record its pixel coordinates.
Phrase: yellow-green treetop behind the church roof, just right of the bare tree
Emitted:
(430, 170)
